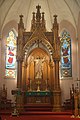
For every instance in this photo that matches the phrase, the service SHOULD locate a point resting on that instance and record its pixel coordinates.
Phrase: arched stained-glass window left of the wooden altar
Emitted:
(10, 71)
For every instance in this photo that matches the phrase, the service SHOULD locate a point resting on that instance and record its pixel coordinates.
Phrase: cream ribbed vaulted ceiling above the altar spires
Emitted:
(65, 9)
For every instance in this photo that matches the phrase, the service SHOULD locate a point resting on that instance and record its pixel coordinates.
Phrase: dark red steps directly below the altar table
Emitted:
(38, 107)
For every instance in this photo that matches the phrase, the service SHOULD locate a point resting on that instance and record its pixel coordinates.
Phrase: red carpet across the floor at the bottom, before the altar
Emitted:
(39, 116)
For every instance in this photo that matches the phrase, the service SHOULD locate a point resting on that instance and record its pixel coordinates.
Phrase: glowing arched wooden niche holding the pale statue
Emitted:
(38, 63)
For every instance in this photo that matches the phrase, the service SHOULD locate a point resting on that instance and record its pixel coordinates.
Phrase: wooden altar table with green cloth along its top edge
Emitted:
(38, 97)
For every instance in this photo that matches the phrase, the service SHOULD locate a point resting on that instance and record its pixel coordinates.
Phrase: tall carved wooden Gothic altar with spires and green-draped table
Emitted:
(38, 56)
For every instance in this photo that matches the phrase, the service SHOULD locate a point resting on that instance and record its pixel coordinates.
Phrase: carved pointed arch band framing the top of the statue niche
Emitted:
(38, 42)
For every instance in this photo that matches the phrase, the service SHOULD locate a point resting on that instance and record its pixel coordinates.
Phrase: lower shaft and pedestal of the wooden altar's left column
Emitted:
(19, 96)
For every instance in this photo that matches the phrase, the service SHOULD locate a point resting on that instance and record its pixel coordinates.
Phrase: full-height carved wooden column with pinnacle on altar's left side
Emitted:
(20, 55)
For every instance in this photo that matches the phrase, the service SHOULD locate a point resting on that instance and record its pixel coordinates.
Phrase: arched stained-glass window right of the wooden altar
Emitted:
(66, 59)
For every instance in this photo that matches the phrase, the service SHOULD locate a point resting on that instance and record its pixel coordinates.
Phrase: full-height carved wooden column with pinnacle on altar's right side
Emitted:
(56, 59)
